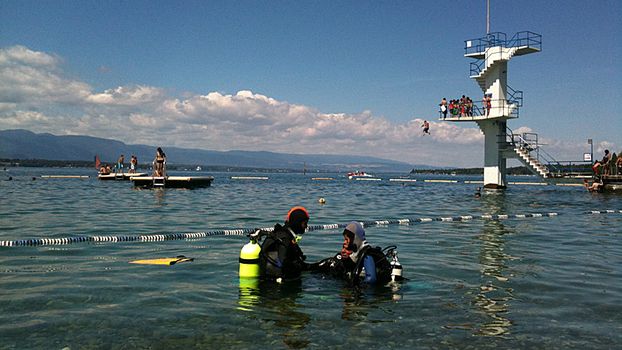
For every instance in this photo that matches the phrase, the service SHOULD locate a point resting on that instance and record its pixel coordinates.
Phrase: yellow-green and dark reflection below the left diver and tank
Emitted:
(276, 305)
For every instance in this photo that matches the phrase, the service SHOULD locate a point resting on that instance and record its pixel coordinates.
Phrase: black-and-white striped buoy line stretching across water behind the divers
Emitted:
(246, 231)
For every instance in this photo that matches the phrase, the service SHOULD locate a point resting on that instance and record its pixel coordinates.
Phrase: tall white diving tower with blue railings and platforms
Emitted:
(490, 70)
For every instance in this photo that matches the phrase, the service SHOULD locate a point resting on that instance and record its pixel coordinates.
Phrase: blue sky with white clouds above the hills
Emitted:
(338, 77)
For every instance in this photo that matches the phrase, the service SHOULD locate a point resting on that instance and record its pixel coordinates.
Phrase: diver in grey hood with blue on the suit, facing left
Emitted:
(358, 262)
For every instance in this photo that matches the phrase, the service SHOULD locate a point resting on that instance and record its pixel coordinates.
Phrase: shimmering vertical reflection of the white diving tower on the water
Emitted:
(493, 297)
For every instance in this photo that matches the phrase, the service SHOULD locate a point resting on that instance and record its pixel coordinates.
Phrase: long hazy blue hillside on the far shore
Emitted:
(23, 144)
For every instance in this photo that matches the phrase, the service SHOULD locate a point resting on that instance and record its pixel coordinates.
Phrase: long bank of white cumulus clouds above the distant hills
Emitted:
(35, 94)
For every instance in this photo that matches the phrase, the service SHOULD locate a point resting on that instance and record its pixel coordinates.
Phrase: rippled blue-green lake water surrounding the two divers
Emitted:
(545, 282)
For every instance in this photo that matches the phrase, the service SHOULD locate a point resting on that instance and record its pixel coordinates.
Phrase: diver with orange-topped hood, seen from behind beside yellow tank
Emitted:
(280, 258)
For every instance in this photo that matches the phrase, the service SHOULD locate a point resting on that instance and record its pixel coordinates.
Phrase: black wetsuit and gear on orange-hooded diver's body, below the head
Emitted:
(280, 256)
